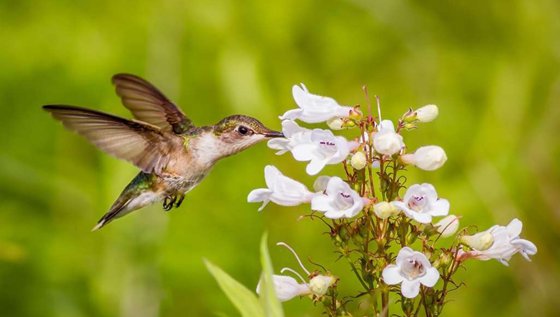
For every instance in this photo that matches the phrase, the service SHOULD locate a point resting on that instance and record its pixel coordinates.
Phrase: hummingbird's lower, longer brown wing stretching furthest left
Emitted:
(144, 145)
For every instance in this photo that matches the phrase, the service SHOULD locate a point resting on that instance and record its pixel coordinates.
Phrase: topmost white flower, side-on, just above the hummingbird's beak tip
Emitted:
(313, 108)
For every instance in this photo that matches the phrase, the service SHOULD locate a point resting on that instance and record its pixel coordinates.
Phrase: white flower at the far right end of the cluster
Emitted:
(506, 243)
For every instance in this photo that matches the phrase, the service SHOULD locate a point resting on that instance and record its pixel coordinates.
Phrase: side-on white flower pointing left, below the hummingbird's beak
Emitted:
(281, 190)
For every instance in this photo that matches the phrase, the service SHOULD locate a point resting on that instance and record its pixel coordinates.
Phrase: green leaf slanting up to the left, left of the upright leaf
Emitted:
(242, 298)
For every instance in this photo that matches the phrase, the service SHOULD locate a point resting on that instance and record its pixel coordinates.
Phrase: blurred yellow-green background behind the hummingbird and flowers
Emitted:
(492, 67)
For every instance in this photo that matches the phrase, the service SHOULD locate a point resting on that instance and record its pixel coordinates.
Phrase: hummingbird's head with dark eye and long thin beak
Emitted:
(238, 132)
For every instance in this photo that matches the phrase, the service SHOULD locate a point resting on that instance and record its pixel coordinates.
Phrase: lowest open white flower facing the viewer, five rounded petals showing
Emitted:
(411, 270)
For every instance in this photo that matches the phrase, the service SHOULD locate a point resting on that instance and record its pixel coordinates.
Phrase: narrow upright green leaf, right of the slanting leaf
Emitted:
(270, 302)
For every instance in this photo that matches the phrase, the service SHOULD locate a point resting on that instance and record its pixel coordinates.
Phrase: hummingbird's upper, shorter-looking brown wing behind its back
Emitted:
(148, 104)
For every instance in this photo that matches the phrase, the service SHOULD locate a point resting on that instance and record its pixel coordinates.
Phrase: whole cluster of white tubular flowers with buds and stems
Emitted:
(390, 236)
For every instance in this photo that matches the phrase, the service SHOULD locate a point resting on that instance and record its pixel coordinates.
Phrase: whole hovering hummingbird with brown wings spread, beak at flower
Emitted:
(173, 154)
